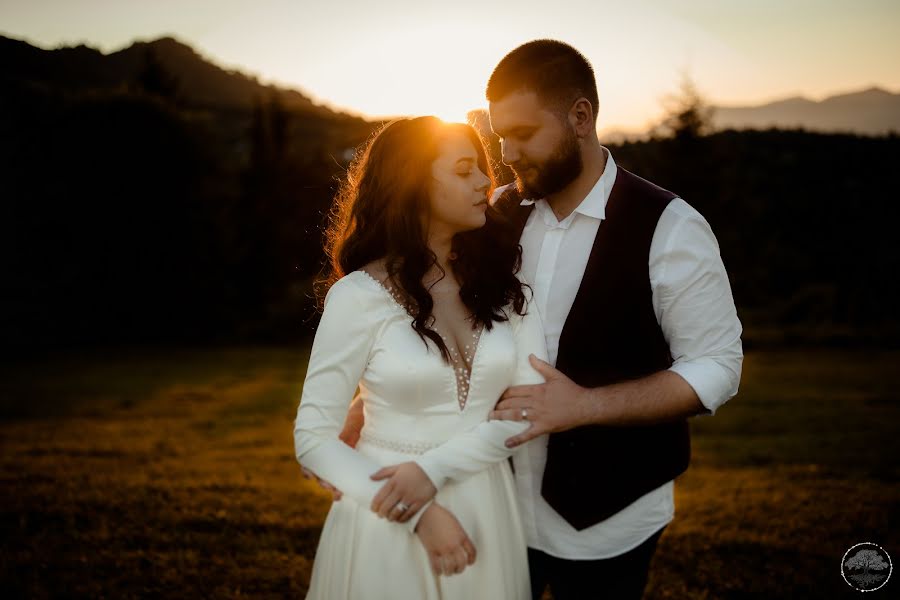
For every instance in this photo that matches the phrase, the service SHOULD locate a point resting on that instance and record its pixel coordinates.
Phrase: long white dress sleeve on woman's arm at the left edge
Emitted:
(337, 361)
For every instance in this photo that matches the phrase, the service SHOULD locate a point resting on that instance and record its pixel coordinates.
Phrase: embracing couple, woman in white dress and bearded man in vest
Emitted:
(527, 357)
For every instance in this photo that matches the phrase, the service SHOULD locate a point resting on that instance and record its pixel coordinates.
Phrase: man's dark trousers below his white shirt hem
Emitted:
(621, 577)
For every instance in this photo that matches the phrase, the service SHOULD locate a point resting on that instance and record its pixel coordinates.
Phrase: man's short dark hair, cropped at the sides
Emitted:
(558, 73)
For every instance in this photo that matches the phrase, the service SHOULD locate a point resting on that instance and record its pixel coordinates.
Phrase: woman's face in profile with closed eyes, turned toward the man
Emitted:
(458, 191)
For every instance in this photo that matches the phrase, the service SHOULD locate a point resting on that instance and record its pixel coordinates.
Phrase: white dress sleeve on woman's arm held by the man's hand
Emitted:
(483, 445)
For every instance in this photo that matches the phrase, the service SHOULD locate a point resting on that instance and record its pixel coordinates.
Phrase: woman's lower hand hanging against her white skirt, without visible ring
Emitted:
(449, 548)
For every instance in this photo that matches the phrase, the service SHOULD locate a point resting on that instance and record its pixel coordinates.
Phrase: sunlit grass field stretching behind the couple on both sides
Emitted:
(171, 473)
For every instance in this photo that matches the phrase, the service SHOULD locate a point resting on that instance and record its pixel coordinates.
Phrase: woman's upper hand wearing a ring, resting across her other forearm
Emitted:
(407, 485)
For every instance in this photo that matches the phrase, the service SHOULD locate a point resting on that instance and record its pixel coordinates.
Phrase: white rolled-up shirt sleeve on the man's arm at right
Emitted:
(694, 305)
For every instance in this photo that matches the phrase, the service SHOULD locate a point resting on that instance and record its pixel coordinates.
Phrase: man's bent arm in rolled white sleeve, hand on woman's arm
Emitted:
(695, 310)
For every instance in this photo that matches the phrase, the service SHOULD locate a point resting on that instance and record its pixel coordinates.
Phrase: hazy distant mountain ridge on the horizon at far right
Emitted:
(873, 111)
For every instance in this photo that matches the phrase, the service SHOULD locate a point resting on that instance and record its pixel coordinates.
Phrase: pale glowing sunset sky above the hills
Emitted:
(396, 57)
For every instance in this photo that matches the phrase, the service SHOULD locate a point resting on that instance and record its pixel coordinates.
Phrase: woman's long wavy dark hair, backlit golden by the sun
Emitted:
(377, 215)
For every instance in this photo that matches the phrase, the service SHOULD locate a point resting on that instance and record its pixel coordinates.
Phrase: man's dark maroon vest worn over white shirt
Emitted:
(611, 335)
